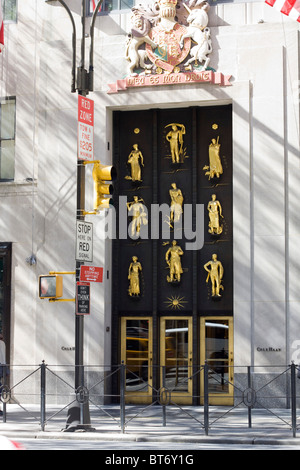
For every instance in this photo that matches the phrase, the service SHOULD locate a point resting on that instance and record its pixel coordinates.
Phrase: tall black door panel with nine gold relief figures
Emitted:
(169, 258)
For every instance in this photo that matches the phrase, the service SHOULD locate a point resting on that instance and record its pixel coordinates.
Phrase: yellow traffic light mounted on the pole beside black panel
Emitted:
(102, 189)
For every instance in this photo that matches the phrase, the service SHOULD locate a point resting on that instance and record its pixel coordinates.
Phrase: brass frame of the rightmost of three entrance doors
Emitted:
(225, 398)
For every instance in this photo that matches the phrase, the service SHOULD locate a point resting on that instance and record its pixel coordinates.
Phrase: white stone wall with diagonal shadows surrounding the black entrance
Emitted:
(259, 48)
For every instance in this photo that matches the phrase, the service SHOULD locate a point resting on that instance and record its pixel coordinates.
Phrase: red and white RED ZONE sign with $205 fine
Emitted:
(85, 128)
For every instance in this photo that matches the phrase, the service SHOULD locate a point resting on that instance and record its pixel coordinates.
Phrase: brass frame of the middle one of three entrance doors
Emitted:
(185, 398)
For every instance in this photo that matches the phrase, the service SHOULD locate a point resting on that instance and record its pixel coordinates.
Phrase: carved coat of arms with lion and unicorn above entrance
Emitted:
(168, 37)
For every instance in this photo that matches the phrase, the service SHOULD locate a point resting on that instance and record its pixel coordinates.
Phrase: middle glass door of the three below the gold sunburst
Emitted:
(176, 358)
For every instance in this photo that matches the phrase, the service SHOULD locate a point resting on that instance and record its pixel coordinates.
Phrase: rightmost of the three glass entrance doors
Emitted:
(217, 351)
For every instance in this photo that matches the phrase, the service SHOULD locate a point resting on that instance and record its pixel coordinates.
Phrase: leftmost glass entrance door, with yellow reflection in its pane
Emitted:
(136, 352)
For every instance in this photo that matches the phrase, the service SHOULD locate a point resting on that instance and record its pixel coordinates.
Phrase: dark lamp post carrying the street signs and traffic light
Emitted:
(83, 84)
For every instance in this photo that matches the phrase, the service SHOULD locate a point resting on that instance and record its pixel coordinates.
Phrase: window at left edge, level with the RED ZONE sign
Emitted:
(7, 138)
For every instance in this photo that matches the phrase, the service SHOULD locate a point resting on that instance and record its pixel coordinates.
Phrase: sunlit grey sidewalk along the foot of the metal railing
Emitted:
(185, 424)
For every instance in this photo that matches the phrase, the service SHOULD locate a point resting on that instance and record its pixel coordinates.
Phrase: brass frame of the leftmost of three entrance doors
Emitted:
(139, 396)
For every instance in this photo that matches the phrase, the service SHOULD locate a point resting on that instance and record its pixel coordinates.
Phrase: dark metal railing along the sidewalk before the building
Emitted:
(251, 389)
